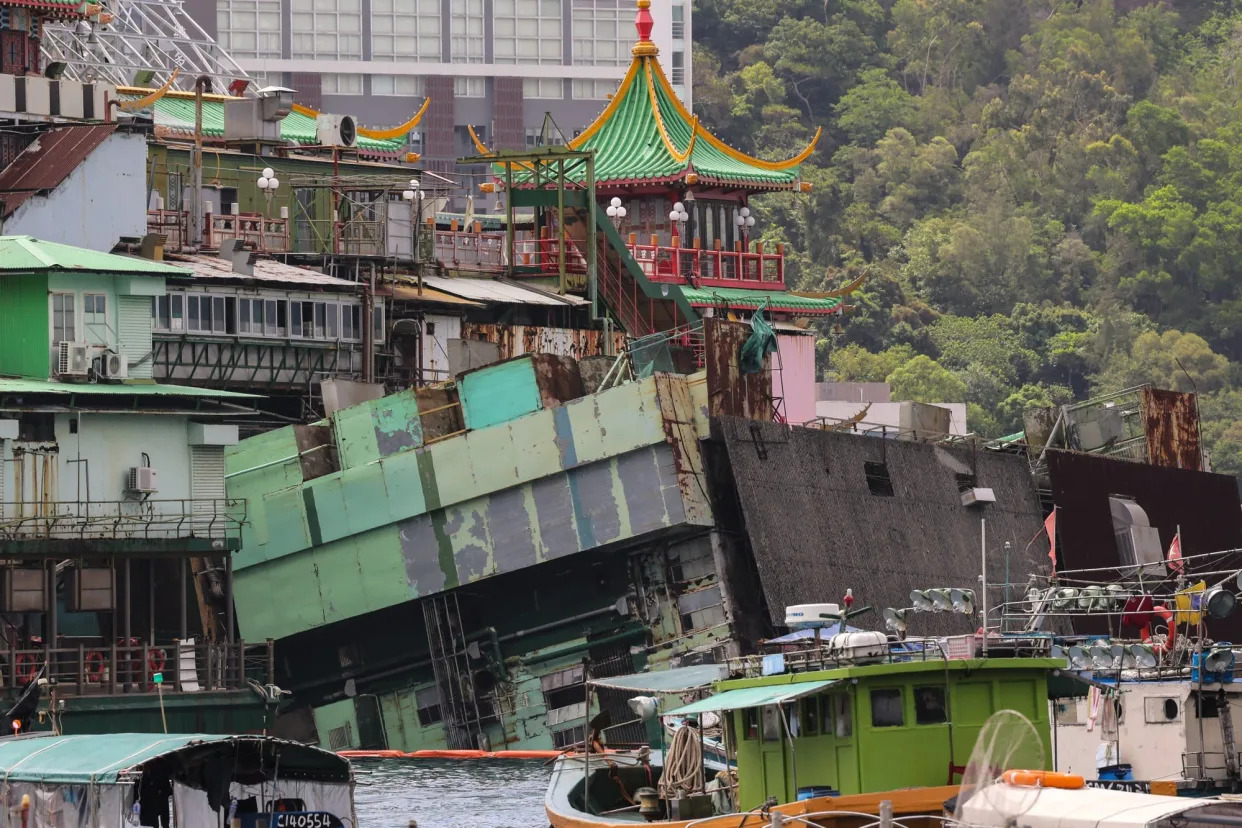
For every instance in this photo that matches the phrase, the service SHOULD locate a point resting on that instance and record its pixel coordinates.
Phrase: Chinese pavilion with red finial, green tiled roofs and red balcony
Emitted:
(678, 199)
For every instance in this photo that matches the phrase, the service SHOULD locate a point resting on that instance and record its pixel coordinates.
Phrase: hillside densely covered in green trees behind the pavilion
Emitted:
(1045, 196)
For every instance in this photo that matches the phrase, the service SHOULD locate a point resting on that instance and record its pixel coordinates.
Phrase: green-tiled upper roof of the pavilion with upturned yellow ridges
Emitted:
(646, 135)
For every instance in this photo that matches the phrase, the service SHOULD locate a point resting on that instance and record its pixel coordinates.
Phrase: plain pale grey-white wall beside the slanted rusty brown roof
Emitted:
(101, 200)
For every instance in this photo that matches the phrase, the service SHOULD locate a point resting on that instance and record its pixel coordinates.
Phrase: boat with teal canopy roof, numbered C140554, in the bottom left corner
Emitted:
(105, 781)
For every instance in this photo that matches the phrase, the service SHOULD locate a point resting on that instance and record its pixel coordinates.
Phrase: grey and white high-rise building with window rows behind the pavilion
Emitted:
(494, 65)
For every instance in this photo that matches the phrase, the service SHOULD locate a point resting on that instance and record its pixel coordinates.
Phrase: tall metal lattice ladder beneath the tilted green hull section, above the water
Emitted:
(451, 667)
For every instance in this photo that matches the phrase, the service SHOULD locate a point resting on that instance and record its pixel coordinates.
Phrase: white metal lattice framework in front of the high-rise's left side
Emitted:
(142, 44)
